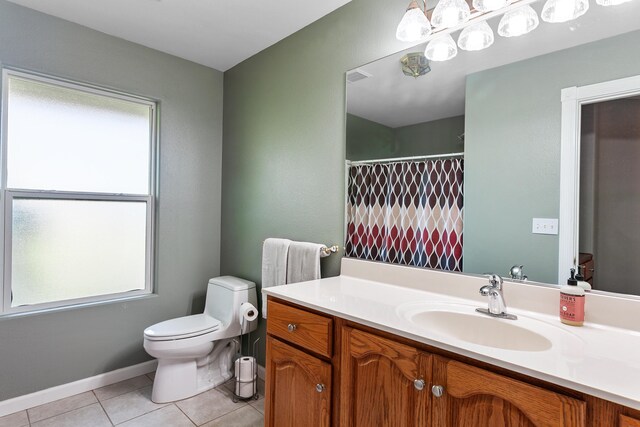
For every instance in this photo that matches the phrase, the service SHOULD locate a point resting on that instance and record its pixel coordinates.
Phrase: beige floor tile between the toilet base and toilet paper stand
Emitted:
(209, 405)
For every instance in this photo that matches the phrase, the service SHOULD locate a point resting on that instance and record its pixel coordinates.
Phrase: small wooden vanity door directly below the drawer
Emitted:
(298, 388)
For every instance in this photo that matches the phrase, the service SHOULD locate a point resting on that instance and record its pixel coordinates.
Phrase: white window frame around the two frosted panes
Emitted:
(7, 196)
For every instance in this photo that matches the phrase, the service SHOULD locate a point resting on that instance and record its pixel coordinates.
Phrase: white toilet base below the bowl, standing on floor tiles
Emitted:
(178, 379)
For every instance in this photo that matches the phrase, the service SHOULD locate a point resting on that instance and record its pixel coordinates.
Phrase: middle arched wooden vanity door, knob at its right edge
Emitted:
(382, 382)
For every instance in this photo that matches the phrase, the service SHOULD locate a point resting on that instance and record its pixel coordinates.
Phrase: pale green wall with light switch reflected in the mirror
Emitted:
(512, 156)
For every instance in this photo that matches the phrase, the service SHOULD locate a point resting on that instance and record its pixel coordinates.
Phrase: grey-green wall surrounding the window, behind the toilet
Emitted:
(38, 351)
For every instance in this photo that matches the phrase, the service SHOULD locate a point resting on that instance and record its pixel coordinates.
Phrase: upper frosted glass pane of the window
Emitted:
(65, 139)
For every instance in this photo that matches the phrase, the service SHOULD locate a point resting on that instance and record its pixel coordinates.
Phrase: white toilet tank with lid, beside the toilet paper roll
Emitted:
(225, 294)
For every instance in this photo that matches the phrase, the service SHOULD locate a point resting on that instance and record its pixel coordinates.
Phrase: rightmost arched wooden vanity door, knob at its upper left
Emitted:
(474, 397)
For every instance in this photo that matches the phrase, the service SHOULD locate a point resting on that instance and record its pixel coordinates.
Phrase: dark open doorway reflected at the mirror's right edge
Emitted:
(609, 237)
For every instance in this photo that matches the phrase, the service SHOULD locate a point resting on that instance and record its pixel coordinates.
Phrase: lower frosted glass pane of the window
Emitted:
(67, 249)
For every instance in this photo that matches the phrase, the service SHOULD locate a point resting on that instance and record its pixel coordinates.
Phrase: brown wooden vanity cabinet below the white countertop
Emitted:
(372, 378)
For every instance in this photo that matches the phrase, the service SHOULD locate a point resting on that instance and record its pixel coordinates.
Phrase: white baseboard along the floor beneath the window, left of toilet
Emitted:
(48, 395)
